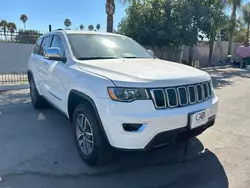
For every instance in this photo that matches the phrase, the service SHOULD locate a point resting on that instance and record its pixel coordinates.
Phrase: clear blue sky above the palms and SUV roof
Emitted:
(41, 13)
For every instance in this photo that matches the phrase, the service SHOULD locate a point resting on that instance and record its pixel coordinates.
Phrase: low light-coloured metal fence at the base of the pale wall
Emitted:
(13, 78)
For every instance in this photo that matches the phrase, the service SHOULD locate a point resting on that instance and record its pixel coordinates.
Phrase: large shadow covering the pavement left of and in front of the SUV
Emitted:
(43, 154)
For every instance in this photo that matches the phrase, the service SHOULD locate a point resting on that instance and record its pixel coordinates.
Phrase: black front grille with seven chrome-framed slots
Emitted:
(181, 95)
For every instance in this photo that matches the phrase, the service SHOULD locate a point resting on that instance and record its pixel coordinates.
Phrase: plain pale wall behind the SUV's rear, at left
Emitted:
(14, 56)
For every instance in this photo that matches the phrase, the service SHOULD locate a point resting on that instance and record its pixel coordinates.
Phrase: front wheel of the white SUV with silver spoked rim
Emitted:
(94, 150)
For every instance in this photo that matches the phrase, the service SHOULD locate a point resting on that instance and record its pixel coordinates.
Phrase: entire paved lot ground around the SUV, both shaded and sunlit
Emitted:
(37, 148)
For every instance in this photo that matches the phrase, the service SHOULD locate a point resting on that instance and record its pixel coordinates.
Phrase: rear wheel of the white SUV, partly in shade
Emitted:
(37, 100)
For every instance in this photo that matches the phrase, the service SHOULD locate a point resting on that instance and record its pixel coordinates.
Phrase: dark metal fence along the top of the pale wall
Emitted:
(21, 36)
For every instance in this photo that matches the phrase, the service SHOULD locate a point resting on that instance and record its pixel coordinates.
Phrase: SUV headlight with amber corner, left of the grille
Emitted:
(127, 94)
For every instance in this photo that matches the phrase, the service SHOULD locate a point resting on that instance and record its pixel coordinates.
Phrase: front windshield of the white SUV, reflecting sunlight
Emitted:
(94, 46)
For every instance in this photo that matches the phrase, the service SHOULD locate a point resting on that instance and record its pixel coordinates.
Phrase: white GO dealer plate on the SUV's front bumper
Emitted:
(198, 119)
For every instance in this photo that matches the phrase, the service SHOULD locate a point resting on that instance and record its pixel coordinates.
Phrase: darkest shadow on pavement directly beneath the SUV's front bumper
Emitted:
(183, 165)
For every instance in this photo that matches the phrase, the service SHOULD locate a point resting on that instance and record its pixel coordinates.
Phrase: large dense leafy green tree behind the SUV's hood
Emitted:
(173, 23)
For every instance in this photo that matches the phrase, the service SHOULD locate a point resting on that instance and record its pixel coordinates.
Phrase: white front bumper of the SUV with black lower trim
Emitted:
(173, 122)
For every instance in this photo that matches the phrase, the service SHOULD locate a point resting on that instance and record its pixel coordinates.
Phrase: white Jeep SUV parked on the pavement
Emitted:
(117, 94)
